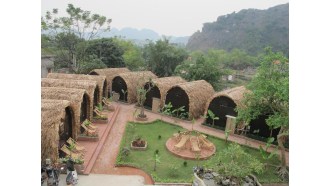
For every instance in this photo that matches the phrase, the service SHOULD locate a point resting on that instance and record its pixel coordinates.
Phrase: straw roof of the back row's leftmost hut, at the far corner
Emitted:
(133, 80)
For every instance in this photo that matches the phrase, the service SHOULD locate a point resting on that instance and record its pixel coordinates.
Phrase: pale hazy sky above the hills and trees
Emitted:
(167, 17)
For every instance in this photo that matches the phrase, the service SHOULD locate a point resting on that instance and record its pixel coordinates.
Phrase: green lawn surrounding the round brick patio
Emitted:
(171, 168)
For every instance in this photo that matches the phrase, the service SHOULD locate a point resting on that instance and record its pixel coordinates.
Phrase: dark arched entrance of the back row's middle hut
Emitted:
(178, 98)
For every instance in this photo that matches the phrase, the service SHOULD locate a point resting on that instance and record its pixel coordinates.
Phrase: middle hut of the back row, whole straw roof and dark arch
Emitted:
(192, 95)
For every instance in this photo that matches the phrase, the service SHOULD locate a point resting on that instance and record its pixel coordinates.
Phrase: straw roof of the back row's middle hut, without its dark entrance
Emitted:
(198, 92)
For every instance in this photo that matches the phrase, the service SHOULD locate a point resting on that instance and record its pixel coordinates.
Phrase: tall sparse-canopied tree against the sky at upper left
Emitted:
(78, 24)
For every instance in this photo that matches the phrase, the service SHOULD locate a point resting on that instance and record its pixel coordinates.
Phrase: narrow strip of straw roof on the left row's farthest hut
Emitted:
(101, 81)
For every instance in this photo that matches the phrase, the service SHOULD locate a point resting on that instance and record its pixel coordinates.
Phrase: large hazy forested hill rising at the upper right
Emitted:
(250, 30)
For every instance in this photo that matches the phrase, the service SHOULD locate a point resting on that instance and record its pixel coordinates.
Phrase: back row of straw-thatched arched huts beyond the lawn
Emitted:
(197, 97)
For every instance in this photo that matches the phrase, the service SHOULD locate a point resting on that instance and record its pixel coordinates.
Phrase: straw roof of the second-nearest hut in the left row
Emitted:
(75, 96)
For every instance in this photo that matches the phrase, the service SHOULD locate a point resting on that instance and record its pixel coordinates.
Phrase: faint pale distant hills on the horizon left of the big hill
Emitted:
(140, 36)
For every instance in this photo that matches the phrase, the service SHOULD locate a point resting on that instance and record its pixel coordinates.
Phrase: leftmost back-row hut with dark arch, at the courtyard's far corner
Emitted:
(129, 81)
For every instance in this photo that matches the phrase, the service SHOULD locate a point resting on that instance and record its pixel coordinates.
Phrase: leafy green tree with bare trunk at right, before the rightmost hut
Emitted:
(269, 94)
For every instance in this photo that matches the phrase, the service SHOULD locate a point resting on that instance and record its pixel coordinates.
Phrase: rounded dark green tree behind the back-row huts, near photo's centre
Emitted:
(162, 57)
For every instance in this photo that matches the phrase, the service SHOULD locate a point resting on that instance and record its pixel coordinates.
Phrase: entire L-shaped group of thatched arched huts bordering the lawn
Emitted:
(69, 99)
